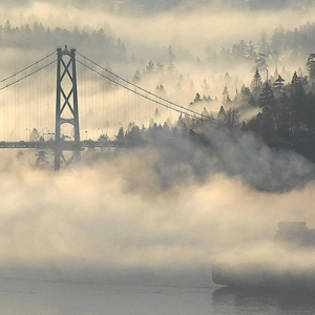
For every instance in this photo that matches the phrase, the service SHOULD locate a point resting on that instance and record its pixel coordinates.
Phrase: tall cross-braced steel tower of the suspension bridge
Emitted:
(67, 111)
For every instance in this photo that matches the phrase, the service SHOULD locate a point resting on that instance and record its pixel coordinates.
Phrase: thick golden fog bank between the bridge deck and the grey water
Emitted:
(173, 205)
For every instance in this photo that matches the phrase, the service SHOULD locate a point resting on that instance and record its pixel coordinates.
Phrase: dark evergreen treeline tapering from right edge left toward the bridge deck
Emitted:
(285, 115)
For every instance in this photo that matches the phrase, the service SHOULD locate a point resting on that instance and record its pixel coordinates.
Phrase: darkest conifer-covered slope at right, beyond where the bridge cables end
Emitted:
(286, 111)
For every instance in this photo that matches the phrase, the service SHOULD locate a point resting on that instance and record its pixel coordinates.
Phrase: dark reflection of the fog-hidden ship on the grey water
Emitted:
(263, 301)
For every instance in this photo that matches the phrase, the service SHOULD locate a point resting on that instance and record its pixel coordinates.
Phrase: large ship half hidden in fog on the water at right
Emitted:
(289, 261)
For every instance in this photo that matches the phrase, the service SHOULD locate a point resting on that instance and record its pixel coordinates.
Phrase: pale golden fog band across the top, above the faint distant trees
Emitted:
(192, 29)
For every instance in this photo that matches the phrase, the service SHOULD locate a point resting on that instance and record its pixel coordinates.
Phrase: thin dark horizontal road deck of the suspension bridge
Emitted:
(64, 145)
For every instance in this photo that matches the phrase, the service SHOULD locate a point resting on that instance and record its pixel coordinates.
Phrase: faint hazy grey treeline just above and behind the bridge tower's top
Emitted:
(37, 36)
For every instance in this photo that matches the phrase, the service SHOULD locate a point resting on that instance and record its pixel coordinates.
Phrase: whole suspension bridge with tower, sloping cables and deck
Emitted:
(60, 125)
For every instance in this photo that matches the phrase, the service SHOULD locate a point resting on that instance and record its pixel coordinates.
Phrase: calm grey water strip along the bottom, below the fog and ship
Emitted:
(55, 297)
